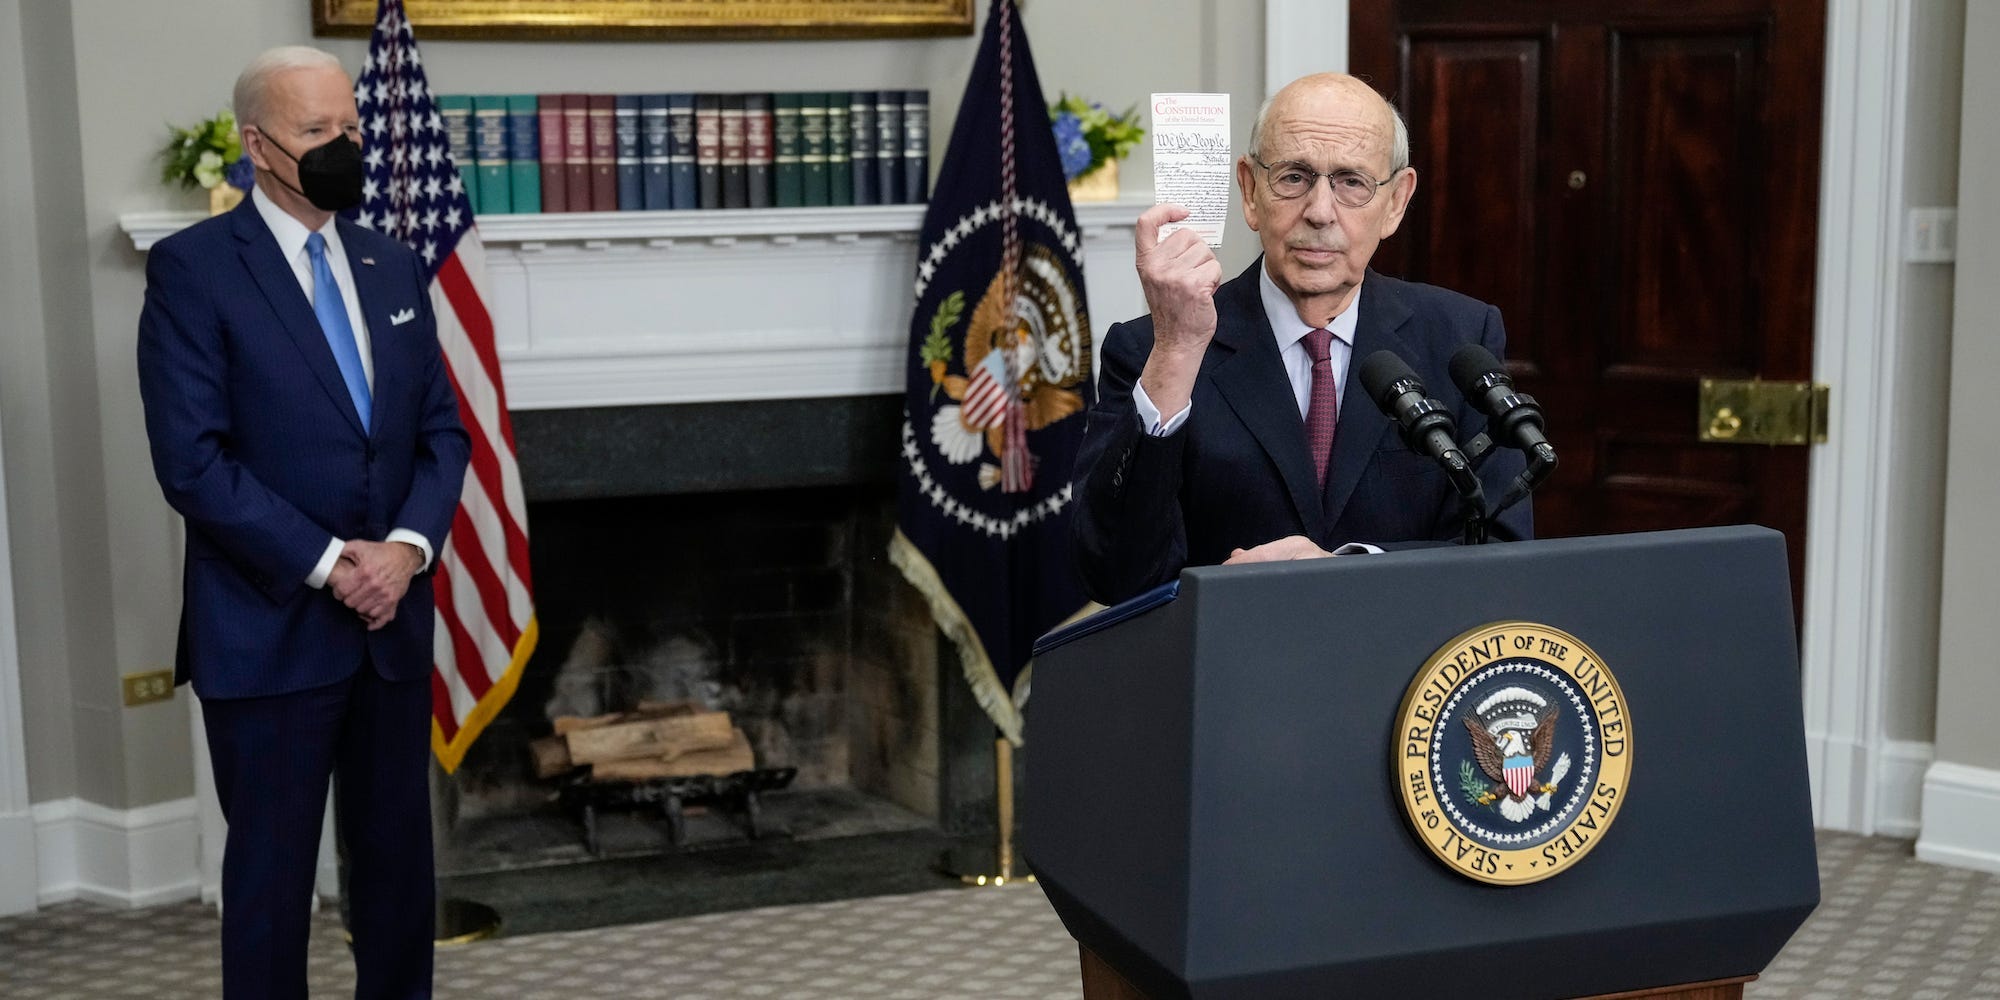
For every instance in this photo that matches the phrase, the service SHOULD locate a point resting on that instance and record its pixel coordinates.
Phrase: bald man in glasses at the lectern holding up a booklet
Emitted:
(1231, 425)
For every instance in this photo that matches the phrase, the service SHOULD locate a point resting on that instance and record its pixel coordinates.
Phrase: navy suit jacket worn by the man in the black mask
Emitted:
(259, 447)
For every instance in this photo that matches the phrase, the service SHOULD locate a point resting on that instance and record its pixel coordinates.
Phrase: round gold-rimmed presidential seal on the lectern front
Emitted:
(1513, 753)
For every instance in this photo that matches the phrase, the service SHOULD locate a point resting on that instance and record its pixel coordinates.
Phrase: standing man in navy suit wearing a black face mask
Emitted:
(305, 427)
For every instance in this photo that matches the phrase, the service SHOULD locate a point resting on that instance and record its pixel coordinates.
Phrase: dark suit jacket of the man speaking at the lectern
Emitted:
(1237, 475)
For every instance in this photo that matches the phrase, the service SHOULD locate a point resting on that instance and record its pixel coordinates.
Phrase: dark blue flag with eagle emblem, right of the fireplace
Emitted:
(999, 381)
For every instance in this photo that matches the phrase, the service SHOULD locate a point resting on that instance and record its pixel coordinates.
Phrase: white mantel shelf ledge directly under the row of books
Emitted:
(777, 225)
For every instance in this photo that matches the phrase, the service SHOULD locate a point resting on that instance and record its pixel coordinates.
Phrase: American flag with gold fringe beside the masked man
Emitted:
(413, 193)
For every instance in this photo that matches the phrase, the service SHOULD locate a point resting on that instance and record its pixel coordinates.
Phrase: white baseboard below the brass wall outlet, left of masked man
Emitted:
(127, 859)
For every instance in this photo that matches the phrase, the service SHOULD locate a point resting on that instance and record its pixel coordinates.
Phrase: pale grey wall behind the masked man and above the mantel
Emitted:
(101, 79)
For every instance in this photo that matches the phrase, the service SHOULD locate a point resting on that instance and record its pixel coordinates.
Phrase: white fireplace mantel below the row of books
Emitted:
(631, 309)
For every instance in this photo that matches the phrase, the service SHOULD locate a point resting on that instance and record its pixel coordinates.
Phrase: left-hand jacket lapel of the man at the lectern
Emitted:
(1253, 381)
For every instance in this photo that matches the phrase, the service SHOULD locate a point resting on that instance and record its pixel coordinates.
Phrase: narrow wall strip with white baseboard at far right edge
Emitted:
(1963, 789)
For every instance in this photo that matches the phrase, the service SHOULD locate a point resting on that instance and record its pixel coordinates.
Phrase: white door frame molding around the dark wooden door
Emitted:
(1857, 769)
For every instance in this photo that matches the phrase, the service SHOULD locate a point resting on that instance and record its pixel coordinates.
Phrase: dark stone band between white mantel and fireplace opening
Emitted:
(707, 447)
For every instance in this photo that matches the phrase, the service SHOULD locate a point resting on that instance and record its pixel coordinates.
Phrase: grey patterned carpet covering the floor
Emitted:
(1889, 929)
